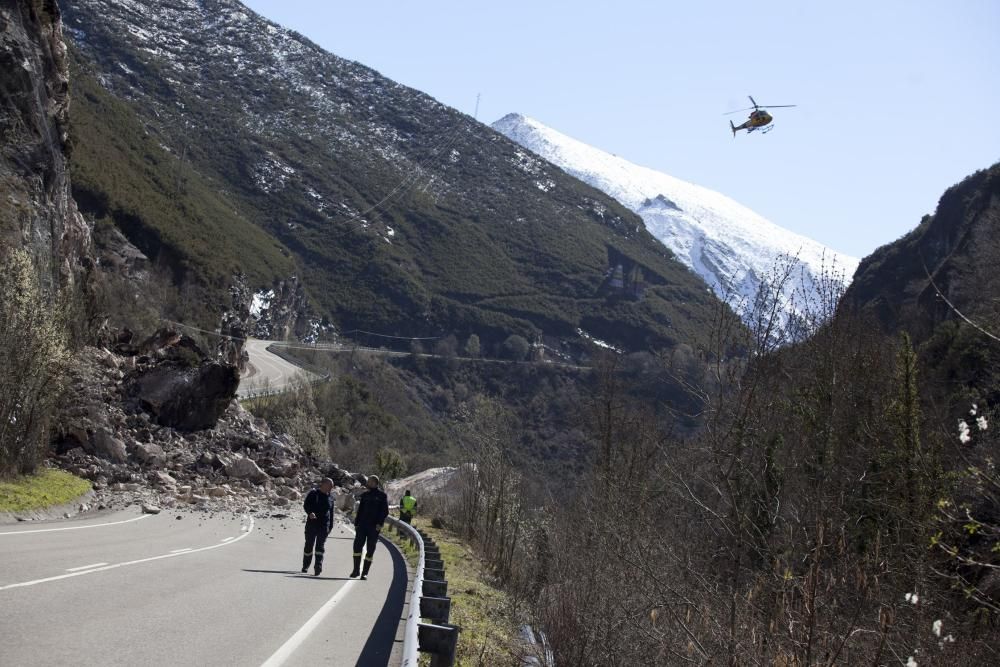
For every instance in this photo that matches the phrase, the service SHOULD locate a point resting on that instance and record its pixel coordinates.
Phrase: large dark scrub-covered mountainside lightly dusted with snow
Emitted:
(401, 214)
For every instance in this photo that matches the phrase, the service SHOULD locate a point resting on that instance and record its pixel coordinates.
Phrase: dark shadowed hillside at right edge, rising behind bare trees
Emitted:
(958, 248)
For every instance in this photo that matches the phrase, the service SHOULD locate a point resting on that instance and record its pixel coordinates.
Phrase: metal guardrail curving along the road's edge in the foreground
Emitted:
(428, 599)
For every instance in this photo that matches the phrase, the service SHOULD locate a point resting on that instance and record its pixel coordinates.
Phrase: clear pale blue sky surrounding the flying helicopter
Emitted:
(897, 100)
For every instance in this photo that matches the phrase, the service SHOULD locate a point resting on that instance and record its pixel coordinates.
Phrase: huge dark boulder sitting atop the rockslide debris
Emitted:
(188, 398)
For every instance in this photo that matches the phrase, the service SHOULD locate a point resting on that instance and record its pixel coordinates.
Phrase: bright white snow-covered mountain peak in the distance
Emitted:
(732, 248)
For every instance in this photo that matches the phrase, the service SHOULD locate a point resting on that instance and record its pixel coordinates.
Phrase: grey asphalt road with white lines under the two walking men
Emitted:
(133, 589)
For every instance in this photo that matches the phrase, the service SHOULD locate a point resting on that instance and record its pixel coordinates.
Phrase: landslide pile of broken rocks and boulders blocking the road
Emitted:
(176, 451)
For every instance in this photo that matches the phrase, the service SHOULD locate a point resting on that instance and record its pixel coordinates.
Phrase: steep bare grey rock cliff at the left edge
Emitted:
(37, 210)
